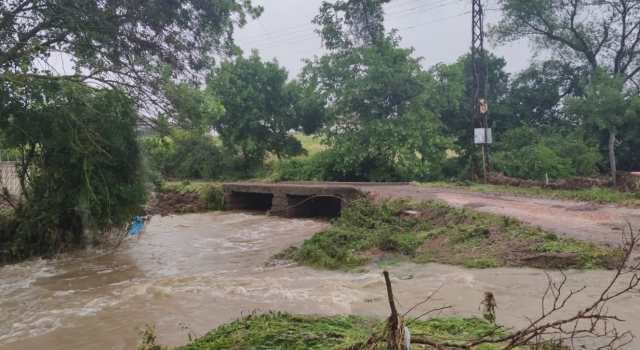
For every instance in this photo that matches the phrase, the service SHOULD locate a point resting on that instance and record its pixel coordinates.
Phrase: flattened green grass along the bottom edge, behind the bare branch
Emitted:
(283, 331)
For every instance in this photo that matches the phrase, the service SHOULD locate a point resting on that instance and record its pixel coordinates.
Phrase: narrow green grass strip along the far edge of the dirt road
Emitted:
(596, 195)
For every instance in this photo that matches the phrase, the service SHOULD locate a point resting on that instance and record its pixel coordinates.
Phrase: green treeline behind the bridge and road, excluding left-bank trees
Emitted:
(384, 117)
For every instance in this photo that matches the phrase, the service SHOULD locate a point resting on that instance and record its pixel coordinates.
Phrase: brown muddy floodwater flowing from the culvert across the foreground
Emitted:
(204, 270)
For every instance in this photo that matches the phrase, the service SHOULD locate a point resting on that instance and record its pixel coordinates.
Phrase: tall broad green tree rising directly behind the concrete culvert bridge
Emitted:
(376, 122)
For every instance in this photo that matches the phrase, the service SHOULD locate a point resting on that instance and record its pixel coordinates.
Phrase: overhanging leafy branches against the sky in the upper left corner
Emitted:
(117, 43)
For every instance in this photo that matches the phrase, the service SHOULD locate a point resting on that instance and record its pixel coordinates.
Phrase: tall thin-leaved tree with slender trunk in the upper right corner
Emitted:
(609, 41)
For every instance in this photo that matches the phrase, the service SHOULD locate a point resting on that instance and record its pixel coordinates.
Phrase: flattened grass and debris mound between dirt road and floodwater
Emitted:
(436, 232)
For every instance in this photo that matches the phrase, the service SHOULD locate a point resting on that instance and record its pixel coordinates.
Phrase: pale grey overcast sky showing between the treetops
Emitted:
(439, 30)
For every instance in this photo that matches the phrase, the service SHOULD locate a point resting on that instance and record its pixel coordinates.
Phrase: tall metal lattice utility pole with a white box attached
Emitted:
(478, 83)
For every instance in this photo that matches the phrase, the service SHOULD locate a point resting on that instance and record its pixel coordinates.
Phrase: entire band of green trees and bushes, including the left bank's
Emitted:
(379, 113)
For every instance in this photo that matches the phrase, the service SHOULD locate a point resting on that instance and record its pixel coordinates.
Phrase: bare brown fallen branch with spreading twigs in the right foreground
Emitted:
(591, 322)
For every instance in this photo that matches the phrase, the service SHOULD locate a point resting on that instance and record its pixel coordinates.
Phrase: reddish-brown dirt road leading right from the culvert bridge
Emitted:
(602, 223)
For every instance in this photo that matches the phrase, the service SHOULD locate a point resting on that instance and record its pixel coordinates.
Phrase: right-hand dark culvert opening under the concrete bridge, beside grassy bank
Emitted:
(311, 206)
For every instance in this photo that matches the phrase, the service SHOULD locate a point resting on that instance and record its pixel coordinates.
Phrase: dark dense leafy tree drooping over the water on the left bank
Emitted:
(80, 167)
